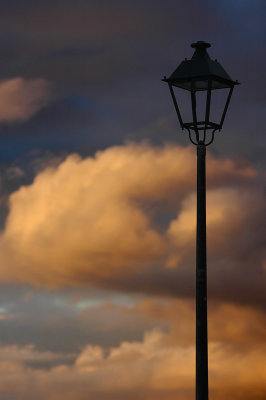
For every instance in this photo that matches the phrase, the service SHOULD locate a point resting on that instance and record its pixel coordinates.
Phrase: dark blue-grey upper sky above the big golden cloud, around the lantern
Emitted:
(105, 63)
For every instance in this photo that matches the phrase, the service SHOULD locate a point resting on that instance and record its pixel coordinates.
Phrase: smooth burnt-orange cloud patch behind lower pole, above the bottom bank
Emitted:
(228, 323)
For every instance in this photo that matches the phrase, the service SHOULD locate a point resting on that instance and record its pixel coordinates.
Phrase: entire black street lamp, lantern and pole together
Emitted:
(201, 78)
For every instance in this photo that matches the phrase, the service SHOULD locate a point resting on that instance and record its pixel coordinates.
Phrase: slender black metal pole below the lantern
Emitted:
(201, 280)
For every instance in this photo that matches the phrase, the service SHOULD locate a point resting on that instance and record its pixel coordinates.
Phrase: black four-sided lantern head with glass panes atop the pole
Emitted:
(201, 76)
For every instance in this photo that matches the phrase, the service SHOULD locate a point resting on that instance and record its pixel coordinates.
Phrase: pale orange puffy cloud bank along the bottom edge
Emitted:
(142, 369)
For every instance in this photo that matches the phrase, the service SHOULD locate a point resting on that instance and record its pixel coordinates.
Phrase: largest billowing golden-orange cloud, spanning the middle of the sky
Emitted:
(126, 219)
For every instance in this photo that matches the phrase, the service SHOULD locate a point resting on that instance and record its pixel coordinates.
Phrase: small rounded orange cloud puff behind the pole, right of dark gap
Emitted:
(227, 213)
